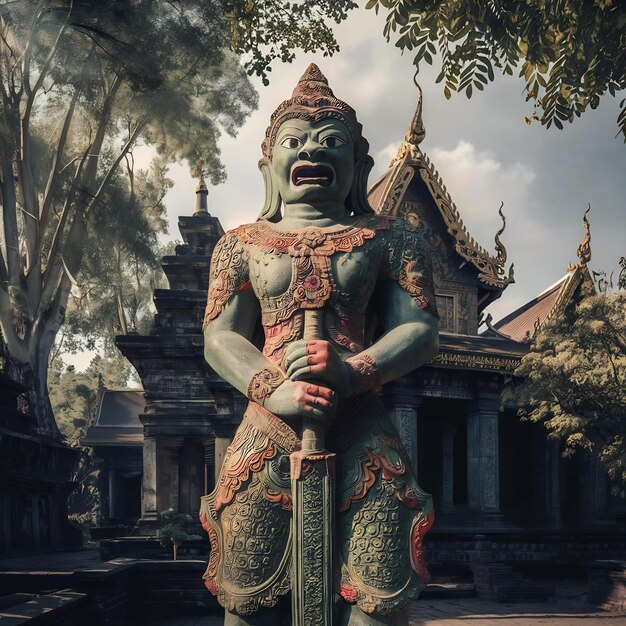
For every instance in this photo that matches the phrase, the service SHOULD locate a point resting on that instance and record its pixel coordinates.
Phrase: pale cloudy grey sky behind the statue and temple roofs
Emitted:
(484, 150)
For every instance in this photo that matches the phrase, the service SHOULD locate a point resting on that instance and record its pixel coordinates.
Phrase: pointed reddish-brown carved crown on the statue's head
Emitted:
(313, 100)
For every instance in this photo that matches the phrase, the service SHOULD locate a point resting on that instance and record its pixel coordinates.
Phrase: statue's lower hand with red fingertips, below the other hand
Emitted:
(294, 399)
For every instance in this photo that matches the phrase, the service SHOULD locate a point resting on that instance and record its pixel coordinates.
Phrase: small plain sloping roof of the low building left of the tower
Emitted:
(117, 421)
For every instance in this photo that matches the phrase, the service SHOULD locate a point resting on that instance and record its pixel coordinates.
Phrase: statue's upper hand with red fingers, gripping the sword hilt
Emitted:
(317, 360)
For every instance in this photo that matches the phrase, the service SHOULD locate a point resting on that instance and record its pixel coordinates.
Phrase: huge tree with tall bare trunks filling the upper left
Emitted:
(80, 84)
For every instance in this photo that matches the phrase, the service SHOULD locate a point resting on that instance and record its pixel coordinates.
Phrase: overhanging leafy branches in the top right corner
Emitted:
(571, 52)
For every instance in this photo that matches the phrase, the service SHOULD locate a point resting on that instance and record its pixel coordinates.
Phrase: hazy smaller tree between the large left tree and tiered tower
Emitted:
(121, 266)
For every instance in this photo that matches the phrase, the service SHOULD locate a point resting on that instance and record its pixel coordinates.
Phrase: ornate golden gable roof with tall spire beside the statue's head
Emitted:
(387, 194)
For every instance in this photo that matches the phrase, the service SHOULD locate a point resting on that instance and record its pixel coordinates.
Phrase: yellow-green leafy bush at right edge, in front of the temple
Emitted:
(575, 381)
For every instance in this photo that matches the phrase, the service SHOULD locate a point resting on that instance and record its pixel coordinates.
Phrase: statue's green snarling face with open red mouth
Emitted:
(313, 161)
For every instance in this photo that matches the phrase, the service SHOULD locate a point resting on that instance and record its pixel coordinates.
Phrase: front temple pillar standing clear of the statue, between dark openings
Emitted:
(483, 462)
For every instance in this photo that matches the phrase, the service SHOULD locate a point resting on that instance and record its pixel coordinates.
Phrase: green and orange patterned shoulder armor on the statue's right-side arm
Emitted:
(409, 263)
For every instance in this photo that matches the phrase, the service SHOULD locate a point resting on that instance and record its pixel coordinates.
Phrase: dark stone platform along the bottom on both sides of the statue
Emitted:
(77, 588)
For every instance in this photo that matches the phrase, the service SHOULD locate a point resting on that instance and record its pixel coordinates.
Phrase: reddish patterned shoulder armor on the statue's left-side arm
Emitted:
(228, 273)
